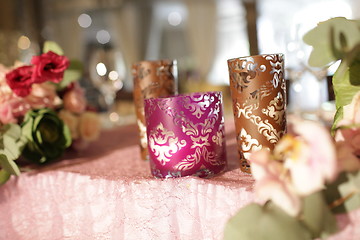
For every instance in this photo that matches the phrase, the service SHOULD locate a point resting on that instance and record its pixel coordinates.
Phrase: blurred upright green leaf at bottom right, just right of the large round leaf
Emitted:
(317, 216)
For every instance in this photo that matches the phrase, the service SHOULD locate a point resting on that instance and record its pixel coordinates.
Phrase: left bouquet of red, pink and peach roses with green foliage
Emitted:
(43, 110)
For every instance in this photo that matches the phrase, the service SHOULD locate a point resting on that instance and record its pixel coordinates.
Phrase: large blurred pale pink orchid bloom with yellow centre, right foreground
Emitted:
(301, 163)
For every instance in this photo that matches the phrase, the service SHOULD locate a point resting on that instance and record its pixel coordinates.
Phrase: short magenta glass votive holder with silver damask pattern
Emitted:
(186, 135)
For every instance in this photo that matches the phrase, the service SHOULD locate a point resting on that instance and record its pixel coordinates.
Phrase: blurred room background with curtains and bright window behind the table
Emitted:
(108, 36)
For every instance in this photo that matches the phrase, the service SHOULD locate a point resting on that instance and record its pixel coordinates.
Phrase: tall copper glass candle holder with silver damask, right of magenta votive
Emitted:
(258, 92)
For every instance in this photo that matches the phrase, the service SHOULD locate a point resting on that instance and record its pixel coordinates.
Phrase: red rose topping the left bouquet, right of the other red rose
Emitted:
(49, 67)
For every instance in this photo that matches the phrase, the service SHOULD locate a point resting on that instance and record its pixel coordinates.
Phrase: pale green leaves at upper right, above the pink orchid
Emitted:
(333, 40)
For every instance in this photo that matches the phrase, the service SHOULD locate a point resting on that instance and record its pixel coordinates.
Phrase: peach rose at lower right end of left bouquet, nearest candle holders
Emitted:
(89, 126)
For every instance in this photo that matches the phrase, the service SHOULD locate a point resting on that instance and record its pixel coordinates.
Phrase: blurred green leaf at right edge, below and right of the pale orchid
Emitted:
(344, 194)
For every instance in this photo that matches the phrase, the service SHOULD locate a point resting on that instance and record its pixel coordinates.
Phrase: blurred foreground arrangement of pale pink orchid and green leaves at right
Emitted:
(312, 174)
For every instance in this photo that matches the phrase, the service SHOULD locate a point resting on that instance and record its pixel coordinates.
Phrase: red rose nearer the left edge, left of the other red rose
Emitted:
(20, 80)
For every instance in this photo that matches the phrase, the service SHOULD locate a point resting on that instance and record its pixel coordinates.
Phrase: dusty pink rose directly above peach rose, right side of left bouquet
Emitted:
(74, 99)
